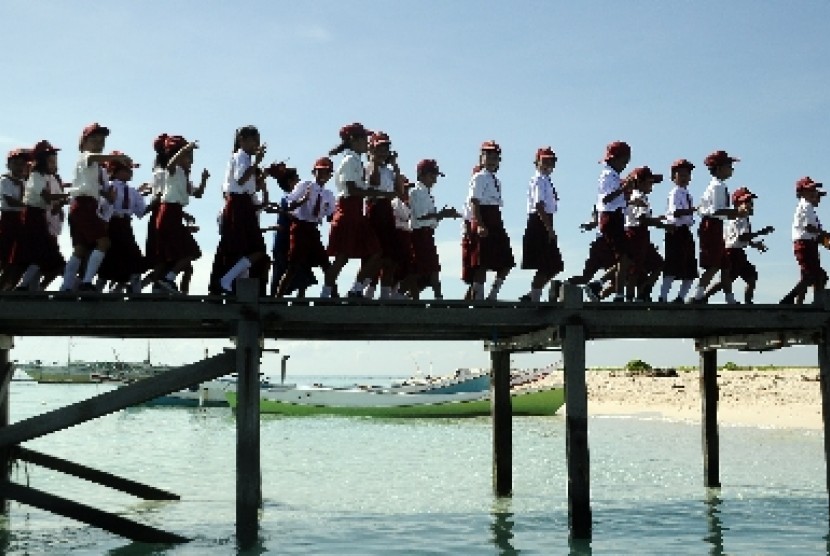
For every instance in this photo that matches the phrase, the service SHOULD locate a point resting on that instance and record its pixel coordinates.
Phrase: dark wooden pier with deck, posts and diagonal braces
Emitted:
(503, 327)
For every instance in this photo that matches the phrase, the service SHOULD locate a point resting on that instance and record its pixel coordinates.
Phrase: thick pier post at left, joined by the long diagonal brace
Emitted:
(248, 469)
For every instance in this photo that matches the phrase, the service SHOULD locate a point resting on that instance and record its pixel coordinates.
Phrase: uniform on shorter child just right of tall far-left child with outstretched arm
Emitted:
(123, 259)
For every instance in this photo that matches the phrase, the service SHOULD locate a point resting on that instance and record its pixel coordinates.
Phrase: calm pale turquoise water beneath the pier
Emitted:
(375, 487)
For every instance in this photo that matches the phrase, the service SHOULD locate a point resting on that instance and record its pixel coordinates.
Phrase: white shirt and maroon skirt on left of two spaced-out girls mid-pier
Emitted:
(493, 251)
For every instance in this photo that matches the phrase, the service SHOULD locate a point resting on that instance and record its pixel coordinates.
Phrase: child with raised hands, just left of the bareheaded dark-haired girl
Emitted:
(176, 248)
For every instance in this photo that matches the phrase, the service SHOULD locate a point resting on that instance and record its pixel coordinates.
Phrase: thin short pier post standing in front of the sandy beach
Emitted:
(709, 406)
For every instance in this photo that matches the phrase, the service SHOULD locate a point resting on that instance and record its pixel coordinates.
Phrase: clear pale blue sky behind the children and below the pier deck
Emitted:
(674, 79)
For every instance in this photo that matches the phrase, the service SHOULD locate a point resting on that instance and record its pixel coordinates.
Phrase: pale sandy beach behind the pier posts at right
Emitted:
(777, 398)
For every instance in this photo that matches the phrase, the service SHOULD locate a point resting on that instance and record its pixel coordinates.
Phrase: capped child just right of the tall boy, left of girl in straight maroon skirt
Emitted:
(646, 262)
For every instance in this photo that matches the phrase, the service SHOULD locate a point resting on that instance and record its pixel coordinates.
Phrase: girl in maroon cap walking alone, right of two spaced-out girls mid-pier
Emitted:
(540, 245)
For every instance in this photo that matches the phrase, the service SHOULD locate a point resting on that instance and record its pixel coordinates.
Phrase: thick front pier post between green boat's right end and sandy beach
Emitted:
(576, 423)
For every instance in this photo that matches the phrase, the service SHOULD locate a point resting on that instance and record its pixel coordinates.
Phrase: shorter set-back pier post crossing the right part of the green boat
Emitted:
(502, 423)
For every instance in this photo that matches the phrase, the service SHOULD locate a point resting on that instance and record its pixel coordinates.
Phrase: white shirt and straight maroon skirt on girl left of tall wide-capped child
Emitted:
(679, 247)
